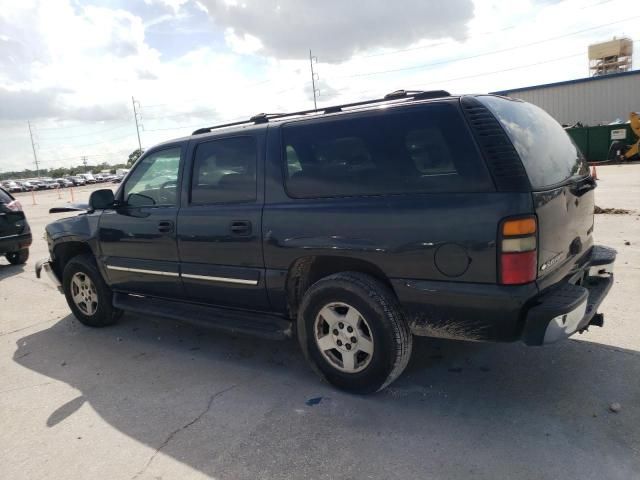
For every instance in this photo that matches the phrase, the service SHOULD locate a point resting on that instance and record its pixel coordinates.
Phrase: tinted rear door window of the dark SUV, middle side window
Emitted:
(224, 171)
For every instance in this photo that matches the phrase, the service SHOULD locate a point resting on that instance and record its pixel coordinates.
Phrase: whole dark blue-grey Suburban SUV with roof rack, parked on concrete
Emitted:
(352, 227)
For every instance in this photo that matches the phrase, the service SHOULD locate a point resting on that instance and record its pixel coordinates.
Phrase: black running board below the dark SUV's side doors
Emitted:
(258, 324)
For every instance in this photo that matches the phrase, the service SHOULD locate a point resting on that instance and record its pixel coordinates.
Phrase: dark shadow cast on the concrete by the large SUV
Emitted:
(246, 408)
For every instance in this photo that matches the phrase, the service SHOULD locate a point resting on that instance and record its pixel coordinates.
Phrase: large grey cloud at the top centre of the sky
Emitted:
(289, 28)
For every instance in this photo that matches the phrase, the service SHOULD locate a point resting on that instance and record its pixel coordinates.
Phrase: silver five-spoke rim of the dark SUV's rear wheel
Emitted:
(344, 337)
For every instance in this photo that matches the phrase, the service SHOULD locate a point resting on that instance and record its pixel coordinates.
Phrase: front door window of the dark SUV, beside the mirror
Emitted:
(154, 181)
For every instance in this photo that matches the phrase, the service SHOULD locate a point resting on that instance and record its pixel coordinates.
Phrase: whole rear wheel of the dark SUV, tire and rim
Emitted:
(352, 332)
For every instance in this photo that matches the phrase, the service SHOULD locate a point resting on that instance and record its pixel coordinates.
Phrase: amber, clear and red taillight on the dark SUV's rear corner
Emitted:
(518, 251)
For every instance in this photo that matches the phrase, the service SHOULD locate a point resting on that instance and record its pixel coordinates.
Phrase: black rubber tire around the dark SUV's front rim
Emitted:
(105, 314)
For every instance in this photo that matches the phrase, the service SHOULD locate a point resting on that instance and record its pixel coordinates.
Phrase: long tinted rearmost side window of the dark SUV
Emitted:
(426, 149)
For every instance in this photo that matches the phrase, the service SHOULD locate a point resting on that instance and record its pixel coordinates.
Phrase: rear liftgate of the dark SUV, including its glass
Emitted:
(562, 189)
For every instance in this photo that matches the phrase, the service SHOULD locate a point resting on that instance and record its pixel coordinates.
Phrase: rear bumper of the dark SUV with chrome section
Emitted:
(571, 308)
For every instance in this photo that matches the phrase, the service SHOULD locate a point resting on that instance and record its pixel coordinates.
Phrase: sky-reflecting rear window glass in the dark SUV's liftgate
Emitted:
(549, 155)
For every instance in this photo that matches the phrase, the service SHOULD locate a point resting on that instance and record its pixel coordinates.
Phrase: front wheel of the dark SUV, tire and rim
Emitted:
(88, 296)
